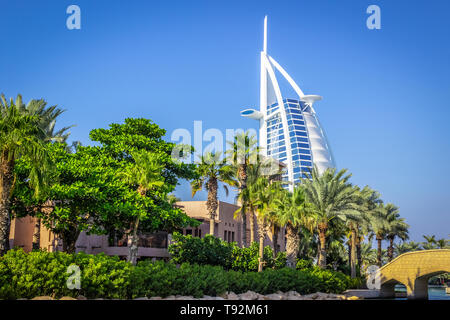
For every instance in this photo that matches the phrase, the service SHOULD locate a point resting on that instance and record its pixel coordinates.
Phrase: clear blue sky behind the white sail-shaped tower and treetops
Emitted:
(386, 92)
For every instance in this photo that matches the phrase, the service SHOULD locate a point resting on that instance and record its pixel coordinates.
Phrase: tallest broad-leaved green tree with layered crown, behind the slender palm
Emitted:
(155, 212)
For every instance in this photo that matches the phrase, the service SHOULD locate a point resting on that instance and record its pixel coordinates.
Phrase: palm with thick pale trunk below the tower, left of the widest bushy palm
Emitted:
(294, 211)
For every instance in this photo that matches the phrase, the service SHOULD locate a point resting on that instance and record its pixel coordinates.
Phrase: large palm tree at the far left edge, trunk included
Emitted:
(24, 132)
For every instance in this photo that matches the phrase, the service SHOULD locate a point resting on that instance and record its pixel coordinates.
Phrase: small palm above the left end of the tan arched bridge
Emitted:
(397, 227)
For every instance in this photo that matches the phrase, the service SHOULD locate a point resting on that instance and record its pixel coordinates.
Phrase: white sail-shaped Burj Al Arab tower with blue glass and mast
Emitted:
(290, 131)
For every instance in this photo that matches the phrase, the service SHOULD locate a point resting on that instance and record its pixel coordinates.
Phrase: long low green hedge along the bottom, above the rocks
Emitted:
(26, 275)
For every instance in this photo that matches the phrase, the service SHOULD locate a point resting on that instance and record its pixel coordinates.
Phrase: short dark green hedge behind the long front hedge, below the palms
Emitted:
(210, 250)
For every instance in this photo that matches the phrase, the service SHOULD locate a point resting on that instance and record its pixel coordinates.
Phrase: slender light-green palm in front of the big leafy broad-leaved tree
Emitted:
(145, 173)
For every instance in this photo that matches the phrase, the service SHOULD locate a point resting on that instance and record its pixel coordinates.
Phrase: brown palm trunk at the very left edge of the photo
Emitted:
(6, 185)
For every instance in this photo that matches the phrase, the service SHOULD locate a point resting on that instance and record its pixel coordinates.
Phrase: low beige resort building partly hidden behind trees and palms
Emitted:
(227, 227)
